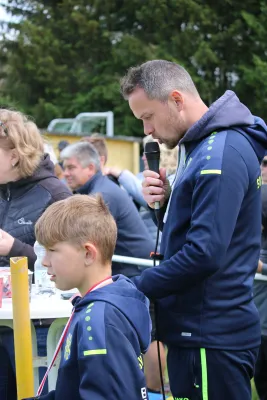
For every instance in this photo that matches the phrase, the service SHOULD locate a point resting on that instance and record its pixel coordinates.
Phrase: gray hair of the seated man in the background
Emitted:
(84, 152)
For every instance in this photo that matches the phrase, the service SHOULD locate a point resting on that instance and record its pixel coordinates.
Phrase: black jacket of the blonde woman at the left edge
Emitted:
(23, 202)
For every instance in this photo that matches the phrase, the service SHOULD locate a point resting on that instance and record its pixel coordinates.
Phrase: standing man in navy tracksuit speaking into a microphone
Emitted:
(211, 228)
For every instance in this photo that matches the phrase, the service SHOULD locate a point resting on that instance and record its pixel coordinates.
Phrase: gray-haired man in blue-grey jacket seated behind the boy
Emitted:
(82, 170)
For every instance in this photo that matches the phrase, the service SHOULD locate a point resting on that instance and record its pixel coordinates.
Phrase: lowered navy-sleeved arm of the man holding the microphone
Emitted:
(212, 224)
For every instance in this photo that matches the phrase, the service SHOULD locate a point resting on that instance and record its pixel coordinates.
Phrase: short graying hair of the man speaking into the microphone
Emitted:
(157, 78)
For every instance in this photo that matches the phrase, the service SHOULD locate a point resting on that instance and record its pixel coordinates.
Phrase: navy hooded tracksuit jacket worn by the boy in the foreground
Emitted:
(102, 352)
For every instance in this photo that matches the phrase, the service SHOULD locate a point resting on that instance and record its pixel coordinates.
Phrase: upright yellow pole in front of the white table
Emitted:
(22, 327)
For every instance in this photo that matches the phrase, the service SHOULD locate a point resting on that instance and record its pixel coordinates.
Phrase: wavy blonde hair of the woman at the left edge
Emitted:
(18, 132)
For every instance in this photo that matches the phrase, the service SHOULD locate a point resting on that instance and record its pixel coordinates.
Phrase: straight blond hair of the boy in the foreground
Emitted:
(77, 220)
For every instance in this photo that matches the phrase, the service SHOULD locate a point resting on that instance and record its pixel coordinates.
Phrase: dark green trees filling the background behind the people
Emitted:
(62, 57)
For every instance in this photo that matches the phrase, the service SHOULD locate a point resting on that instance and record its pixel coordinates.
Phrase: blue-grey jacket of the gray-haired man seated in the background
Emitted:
(133, 237)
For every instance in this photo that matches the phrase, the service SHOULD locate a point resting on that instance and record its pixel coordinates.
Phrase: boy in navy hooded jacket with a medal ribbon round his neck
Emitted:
(110, 326)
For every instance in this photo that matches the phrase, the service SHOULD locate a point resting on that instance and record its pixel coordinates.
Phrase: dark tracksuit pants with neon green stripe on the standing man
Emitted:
(207, 374)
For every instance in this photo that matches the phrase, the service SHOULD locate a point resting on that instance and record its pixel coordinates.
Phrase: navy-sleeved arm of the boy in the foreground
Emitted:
(108, 364)
